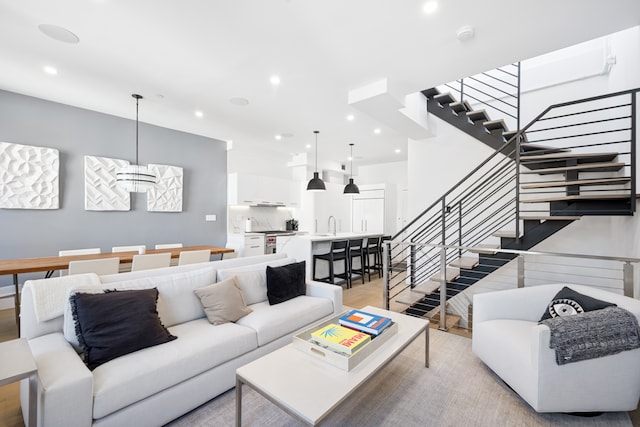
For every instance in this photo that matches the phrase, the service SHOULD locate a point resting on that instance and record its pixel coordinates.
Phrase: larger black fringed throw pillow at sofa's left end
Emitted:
(115, 323)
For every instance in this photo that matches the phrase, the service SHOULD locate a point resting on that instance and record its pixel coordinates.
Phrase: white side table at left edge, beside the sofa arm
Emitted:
(16, 363)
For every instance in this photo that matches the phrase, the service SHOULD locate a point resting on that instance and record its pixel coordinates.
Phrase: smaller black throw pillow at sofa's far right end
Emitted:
(286, 282)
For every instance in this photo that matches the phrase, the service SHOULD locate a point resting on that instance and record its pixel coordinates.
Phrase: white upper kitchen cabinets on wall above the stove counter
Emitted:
(255, 190)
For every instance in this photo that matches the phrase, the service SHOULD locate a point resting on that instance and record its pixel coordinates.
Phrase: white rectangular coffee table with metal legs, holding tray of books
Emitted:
(308, 388)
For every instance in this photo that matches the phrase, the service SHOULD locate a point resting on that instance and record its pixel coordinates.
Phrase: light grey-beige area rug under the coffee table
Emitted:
(456, 390)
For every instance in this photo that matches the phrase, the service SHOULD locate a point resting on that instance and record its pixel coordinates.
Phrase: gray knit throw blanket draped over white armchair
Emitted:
(593, 334)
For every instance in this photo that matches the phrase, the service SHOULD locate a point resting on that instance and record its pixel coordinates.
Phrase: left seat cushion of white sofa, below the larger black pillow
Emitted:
(200, 346)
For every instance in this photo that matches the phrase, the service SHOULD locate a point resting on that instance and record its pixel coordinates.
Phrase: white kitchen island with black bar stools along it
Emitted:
(302, 247)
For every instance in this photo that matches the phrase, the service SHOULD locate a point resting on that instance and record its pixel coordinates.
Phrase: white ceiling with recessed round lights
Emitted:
(188, 55)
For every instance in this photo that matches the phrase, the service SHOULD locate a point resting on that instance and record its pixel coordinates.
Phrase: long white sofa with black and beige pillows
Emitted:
(155, 385)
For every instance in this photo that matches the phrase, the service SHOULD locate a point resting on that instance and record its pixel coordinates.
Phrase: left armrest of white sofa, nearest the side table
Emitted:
(65, 384)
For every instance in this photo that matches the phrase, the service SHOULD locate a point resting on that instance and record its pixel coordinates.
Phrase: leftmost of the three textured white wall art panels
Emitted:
(29, 177)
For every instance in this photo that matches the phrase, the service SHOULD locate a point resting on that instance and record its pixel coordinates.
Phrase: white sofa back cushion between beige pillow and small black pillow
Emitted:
(252, 279)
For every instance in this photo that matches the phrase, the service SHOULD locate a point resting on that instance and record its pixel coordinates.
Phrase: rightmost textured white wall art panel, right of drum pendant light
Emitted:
(166, 196)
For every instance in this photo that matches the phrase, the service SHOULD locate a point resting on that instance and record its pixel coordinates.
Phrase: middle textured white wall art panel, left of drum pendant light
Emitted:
(101, 191)
